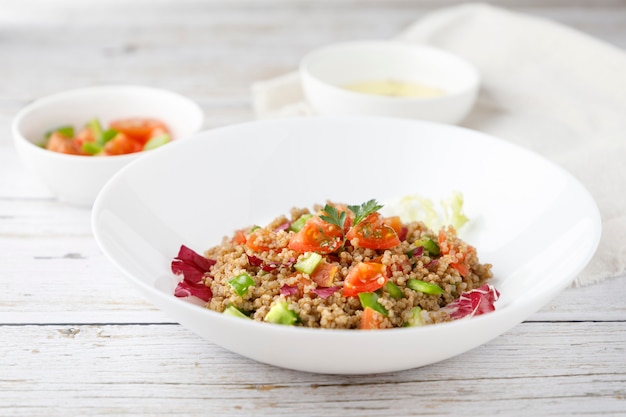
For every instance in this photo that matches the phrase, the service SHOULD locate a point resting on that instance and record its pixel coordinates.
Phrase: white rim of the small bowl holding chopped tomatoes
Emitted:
(20, 139)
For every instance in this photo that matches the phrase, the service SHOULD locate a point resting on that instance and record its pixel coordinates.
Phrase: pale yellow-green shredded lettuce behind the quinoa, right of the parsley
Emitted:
(416, 208)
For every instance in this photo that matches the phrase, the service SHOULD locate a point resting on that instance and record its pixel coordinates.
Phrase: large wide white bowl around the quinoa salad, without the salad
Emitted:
(532, 220)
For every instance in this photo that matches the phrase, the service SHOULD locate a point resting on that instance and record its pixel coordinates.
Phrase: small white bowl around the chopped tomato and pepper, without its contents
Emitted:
(76, 179)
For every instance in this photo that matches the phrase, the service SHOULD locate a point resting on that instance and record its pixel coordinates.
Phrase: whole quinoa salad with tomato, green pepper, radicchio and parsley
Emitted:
(339, 266)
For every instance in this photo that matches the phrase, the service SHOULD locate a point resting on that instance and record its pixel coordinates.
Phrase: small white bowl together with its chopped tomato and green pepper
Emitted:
(75, 141)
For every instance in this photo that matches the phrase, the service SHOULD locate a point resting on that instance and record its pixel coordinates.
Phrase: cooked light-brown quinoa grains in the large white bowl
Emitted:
(266, 255)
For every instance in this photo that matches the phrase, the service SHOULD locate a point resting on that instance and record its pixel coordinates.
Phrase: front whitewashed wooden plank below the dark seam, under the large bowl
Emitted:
(164, 370)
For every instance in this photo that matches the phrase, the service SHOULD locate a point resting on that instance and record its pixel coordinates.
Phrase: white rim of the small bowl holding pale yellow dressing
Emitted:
(307, 59)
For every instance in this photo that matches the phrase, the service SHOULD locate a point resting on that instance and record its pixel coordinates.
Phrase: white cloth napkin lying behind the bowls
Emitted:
(545, 86)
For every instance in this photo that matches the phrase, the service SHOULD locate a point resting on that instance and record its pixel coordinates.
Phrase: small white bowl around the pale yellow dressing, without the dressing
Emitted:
(326, 71)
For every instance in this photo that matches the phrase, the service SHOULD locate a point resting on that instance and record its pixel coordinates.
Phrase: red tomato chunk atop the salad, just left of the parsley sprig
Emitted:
(317, 236)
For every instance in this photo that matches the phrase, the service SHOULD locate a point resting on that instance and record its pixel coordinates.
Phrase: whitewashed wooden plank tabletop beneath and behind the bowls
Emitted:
(76, 340)
